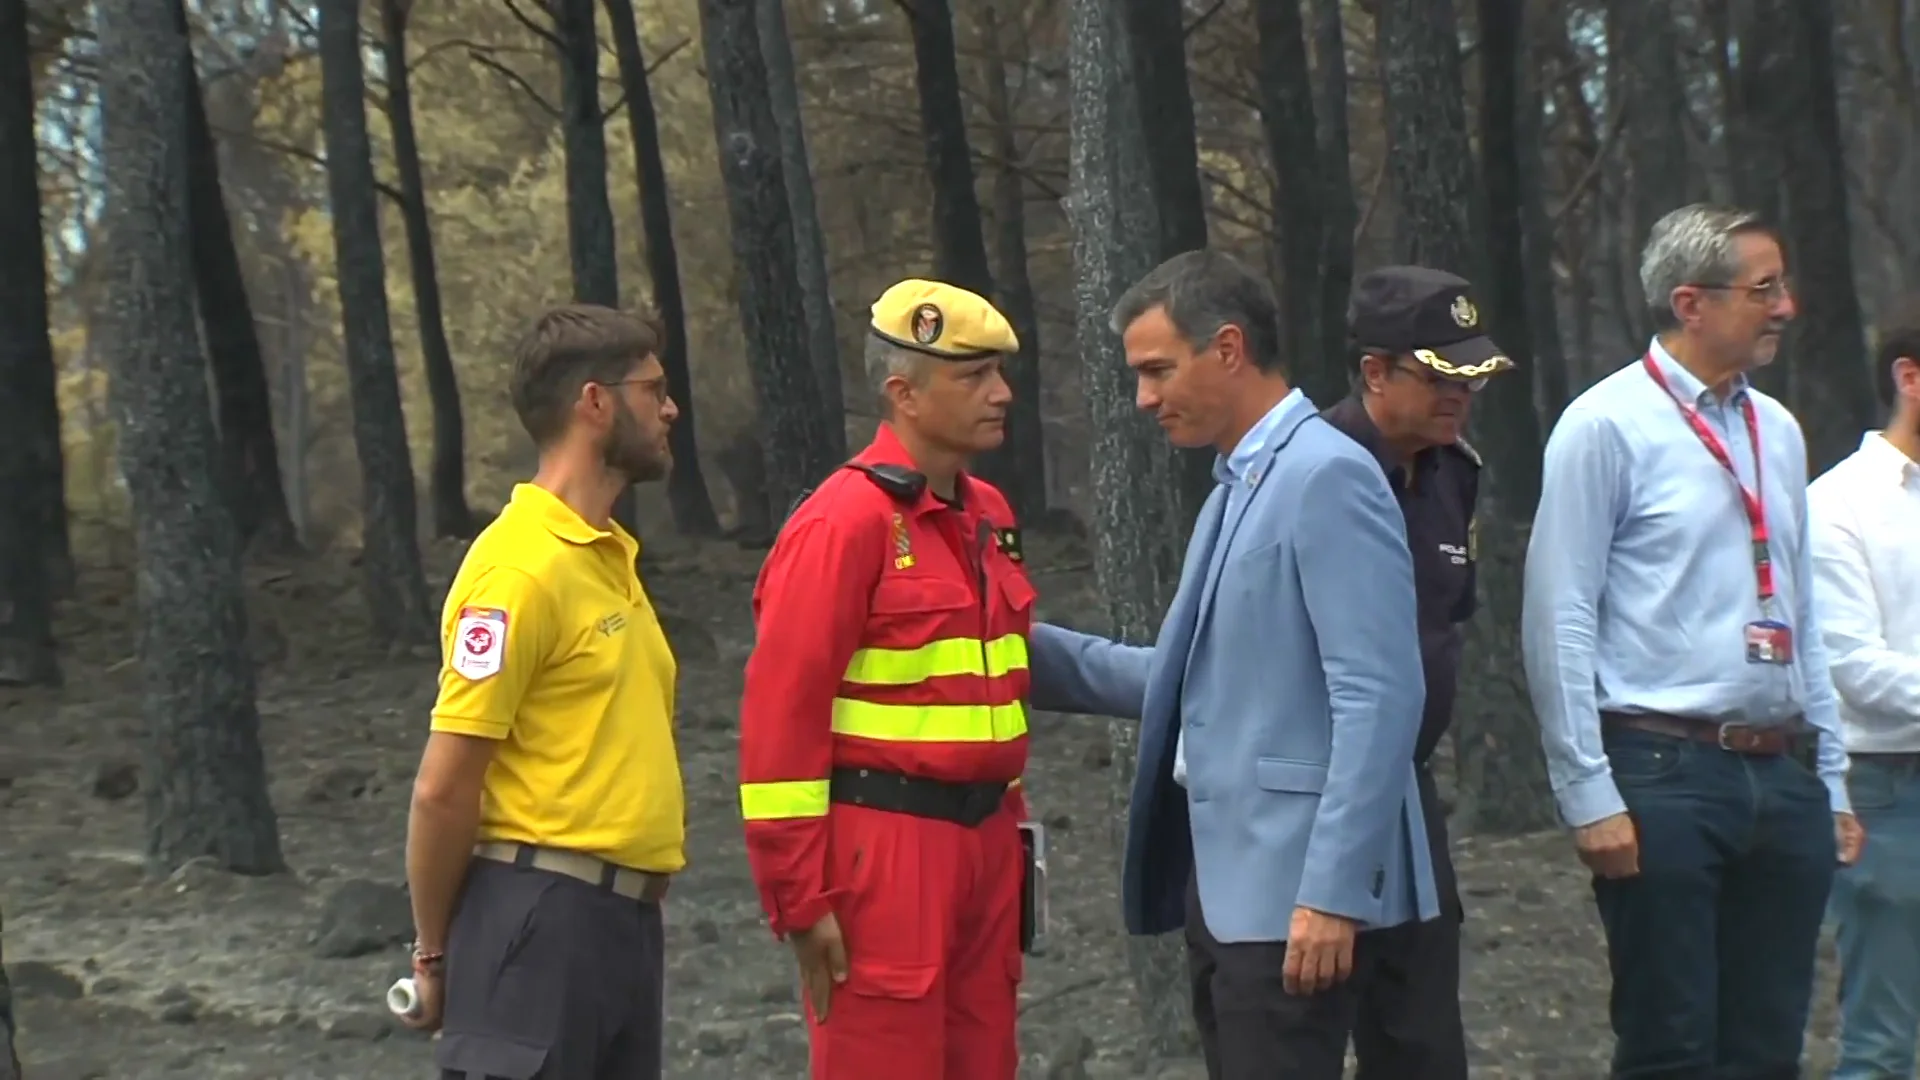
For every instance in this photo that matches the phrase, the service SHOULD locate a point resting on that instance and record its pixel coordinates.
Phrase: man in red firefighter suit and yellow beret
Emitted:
(882, 725)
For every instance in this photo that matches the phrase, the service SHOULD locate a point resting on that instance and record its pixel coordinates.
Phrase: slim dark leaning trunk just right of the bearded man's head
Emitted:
(686, 487)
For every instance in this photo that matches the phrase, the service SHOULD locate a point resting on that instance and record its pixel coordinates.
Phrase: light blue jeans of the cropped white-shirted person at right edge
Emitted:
(1879, 910)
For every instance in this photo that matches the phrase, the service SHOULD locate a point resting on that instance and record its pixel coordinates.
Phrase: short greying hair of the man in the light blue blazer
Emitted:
(1205, 291)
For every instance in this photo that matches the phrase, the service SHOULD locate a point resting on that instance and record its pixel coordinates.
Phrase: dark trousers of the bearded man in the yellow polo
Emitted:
(552, 979)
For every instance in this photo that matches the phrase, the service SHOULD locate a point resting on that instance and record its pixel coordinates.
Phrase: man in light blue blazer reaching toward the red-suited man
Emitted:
(1284, 695)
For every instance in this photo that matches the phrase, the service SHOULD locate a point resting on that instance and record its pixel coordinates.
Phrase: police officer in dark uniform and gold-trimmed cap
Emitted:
(1422, 358)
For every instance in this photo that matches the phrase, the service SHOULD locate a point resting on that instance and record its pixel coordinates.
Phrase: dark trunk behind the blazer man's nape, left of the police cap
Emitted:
(1299, 189)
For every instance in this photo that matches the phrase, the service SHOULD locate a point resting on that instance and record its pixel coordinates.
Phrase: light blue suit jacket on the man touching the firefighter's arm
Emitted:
(1293, 656)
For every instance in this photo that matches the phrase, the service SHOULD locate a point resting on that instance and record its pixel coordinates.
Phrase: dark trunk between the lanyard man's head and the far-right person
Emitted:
(1827, 347)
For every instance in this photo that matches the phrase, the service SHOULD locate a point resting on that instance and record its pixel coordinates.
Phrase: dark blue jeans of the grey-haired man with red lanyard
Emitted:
(1714, 943)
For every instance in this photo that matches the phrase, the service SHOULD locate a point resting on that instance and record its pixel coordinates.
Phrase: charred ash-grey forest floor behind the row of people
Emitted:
(218, 977)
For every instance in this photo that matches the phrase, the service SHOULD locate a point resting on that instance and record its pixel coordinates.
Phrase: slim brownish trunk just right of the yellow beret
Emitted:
(1024, 453)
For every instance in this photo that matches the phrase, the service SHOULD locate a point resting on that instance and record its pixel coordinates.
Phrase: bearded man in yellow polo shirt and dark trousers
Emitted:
(548, 810)
